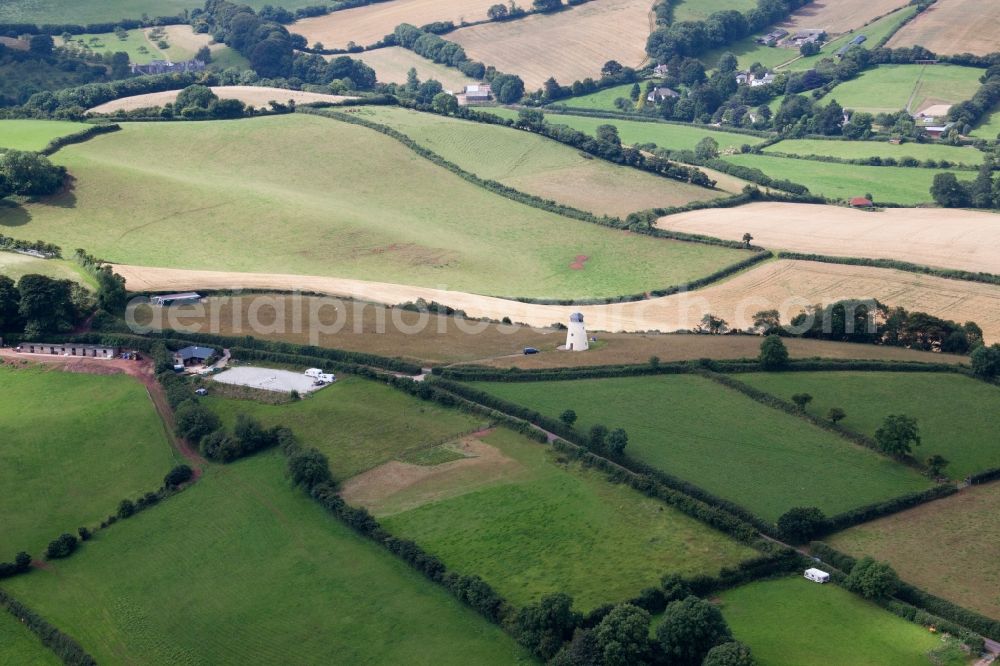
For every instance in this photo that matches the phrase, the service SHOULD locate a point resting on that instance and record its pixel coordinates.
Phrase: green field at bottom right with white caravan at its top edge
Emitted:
(795, 621)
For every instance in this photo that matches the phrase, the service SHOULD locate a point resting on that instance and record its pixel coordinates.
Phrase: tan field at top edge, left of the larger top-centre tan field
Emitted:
(366, 25)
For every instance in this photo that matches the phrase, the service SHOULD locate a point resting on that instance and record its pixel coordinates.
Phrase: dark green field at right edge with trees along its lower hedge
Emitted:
(958, 416)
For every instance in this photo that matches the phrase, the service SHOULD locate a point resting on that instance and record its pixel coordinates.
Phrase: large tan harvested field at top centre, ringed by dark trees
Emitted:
(569, 45)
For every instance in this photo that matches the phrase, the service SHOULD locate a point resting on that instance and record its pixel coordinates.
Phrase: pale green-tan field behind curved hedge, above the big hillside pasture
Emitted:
(541, 166)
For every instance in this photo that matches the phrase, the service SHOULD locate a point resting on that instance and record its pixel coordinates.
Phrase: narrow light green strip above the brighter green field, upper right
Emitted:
(866, 149)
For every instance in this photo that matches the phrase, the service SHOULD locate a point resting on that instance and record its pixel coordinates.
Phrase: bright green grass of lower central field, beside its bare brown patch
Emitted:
(542, 526)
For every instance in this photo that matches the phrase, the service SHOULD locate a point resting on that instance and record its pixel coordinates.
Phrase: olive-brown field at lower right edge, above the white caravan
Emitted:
(947, 547)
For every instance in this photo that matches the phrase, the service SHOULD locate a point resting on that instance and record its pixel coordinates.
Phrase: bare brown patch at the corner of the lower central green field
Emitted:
(398, 486)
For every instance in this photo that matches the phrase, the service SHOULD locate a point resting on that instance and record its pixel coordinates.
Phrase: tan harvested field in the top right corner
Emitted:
(954, 26)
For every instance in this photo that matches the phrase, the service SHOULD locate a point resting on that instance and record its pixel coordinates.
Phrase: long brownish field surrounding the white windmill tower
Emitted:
(431, 339)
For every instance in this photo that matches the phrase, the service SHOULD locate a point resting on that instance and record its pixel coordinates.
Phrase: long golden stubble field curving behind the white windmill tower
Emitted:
(785, 285)
